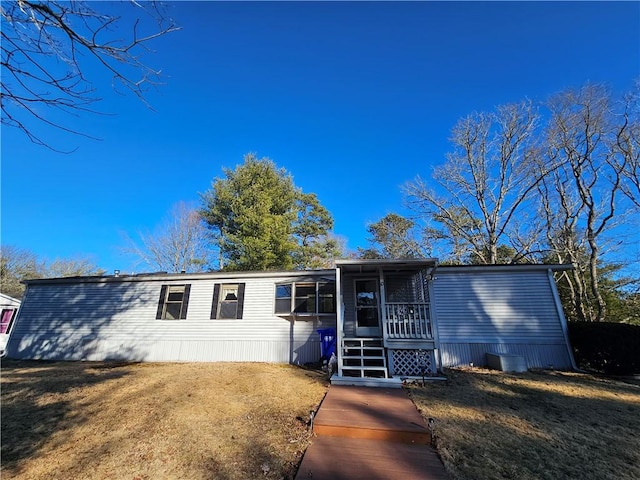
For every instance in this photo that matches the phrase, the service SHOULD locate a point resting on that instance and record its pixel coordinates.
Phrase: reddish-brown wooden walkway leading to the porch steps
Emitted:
(370, 433)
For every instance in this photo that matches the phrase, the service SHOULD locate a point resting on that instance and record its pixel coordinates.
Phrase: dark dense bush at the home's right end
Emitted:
(611, 348)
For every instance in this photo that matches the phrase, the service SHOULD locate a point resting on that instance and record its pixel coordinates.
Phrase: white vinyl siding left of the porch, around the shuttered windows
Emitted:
(117, 320)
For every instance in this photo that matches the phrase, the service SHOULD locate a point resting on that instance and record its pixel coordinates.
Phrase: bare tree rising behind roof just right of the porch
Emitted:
(486, 179)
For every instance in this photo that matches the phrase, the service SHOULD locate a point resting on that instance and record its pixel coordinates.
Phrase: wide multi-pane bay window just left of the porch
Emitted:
(310, 298)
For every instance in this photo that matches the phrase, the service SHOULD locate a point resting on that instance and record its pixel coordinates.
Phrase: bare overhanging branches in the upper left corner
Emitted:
(43, 44)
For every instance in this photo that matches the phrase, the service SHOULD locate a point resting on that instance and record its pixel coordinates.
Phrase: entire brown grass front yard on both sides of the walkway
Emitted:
(246, 420)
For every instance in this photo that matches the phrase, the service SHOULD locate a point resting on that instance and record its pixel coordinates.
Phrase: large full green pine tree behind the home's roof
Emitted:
(262, 221)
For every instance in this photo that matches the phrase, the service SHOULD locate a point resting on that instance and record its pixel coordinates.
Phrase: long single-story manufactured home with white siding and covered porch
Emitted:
(393, 318)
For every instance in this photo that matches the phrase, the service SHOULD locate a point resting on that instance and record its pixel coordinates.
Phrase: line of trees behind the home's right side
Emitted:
(526, 183)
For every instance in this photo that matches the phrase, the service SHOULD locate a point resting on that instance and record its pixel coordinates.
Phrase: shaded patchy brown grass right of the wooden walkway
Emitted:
(538, 425)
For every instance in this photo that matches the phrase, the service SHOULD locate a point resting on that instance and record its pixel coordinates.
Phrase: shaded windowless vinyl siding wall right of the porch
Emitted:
(503, 312)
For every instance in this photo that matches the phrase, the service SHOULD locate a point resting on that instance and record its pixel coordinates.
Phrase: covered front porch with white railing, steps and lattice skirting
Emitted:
(385, 327)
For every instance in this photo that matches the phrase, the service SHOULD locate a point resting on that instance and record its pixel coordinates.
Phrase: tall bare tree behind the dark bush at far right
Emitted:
(584, 202)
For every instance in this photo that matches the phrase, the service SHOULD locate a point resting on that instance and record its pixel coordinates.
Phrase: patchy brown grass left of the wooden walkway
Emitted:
(149, 421)
